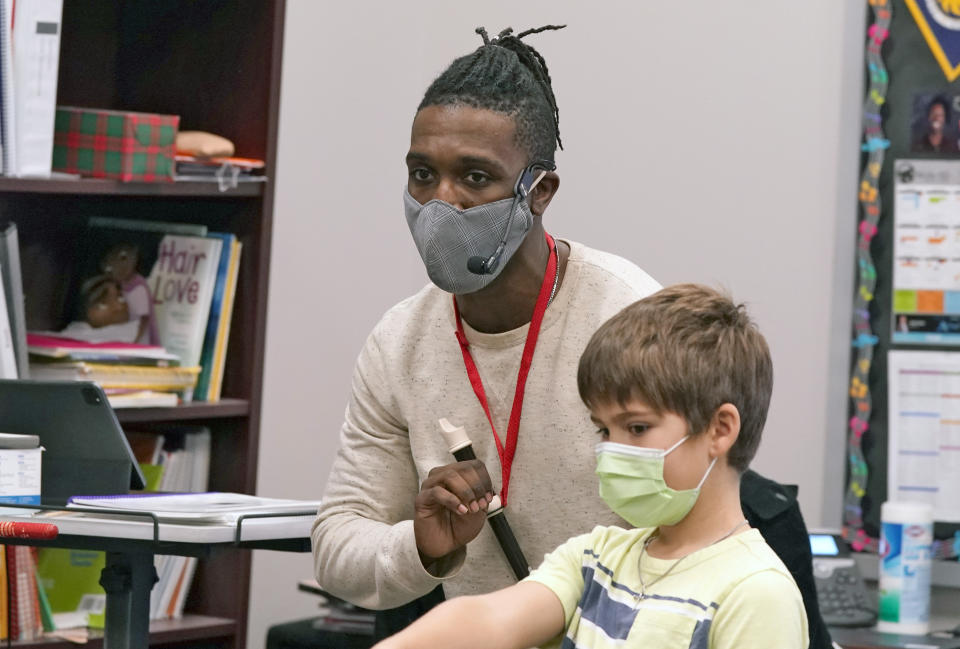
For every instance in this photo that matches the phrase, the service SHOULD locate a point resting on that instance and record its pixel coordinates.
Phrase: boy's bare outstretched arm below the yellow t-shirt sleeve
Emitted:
(527, 614)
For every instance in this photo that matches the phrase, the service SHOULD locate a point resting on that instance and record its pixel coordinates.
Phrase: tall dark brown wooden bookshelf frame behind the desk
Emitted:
(217, 65)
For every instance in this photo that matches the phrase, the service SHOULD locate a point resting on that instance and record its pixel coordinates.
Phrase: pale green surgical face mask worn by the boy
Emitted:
(632, 485)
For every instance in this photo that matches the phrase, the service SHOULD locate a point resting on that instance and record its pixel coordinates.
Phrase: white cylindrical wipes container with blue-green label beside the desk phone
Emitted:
(906, 551)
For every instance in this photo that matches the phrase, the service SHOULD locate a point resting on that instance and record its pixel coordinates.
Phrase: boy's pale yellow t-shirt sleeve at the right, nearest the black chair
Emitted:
(764, 610)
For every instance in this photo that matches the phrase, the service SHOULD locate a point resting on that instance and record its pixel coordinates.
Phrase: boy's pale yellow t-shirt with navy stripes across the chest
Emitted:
(735, 593)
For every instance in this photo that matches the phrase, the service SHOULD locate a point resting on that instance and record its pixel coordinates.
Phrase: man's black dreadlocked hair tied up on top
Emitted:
(507, 76)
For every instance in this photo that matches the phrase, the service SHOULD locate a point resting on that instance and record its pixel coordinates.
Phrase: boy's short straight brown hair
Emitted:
(686, 349)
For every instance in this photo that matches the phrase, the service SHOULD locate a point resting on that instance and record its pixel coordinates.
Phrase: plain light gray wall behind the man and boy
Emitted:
(709, 142)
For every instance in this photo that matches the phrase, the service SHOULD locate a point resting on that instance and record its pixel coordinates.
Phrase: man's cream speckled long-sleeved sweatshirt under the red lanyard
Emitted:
(409, 374)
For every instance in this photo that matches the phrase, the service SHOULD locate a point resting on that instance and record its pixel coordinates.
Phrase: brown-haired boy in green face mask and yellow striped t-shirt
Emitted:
(678, 384)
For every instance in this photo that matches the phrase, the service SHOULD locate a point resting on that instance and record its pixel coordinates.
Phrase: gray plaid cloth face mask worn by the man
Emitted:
(447, 238)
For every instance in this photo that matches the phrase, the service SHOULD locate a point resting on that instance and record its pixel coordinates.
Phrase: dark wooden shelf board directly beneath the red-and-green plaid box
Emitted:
(97, 186)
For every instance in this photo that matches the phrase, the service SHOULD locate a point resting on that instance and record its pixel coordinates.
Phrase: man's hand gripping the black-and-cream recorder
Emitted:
(451, 508)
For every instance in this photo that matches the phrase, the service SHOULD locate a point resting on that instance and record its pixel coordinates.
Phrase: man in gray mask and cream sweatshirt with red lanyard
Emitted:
(481, 177)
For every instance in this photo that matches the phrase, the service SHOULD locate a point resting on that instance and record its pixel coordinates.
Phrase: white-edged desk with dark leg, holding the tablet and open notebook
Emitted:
(131, 541)
